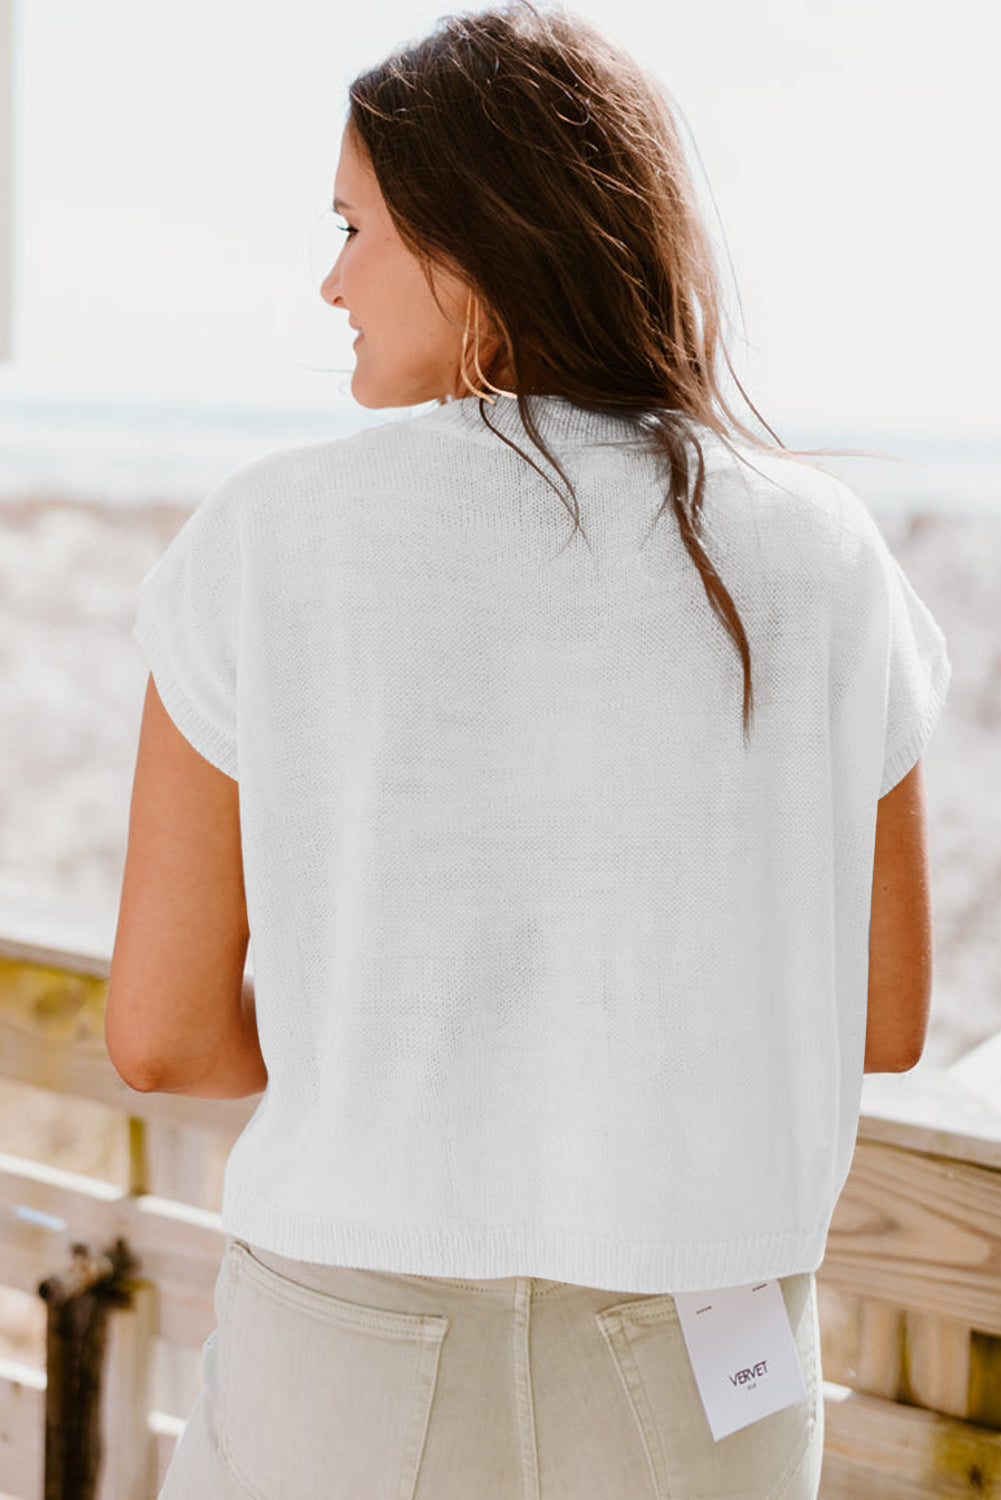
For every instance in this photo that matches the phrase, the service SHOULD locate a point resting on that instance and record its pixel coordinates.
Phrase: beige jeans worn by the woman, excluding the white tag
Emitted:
(334, 1384)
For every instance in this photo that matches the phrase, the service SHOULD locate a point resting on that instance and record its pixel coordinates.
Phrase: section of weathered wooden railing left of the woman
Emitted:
(52, 1037)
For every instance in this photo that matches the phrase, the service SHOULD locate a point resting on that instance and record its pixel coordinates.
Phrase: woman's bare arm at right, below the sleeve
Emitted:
(901, 931)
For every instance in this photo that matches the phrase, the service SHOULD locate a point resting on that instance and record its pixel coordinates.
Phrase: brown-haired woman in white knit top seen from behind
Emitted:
(586, 872)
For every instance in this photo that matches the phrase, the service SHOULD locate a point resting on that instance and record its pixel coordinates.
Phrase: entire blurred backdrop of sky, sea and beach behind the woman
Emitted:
(166, 178)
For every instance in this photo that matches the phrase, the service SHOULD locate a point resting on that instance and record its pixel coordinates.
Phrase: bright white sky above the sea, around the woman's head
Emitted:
(175, 167)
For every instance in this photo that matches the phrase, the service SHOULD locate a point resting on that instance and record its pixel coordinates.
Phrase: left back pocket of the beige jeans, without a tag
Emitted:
(320, 1397)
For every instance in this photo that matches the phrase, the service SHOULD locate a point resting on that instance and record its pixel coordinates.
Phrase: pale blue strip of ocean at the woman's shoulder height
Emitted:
(118, 452)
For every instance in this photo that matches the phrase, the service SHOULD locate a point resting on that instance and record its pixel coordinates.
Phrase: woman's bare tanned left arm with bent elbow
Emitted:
(179, 1018)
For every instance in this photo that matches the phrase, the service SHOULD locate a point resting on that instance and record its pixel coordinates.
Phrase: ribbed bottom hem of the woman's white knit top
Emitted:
(519, 1250)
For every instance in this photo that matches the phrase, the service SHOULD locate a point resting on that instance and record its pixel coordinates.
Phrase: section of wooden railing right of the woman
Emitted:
(912, 1291)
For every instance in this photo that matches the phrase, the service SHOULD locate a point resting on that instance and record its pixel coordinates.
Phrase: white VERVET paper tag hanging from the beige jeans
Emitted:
(744, 1354)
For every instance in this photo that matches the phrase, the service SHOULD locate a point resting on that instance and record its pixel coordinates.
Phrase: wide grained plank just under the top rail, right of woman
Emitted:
(919, 1234)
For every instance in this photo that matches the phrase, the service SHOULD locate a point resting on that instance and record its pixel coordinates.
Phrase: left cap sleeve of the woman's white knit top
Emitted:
(188, 622)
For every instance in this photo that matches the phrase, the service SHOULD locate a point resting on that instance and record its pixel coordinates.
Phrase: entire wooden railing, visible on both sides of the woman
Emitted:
(910, 1288)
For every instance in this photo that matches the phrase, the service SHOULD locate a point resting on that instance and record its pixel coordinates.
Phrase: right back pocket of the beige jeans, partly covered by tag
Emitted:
(772, 1459)
